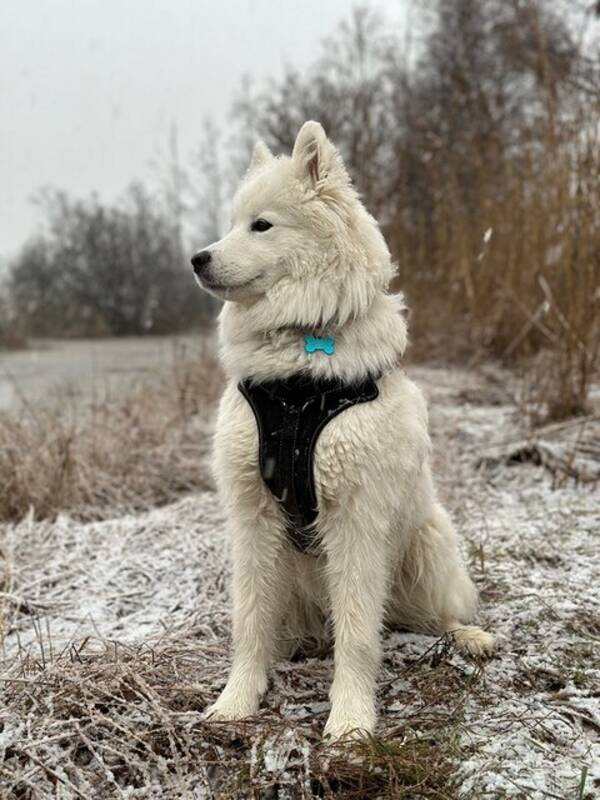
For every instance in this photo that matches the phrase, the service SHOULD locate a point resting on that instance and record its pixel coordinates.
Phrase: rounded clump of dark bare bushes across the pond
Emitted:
(104, 269)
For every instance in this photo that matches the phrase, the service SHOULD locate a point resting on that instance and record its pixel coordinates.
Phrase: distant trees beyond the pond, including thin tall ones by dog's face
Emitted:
(114, 269)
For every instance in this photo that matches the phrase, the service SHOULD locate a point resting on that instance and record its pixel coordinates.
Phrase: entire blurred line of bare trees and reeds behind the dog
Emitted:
(472, 136)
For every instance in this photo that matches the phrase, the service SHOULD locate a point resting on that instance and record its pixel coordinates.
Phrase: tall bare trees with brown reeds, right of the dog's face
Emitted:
(474, 137)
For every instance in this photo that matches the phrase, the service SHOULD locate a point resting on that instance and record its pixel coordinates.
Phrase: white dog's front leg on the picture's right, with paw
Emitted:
(358, 577)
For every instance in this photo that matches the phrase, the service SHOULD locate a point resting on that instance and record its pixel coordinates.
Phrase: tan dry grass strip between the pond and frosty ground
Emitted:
(116, 457)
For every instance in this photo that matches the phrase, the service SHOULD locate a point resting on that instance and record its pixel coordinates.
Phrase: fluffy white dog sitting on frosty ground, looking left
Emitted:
(304, 273)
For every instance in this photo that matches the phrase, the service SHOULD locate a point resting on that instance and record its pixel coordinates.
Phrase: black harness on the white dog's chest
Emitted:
(290, 414)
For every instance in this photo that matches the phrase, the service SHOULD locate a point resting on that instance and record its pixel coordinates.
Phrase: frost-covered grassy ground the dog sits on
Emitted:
(116, 637)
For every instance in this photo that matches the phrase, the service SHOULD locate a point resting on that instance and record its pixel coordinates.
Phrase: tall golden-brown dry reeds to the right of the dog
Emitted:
(511, 268)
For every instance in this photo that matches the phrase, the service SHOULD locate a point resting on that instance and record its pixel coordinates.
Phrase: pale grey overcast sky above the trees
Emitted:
(89, 88)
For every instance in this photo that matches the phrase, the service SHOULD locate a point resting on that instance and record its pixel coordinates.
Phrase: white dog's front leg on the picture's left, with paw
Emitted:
(260, 584)
